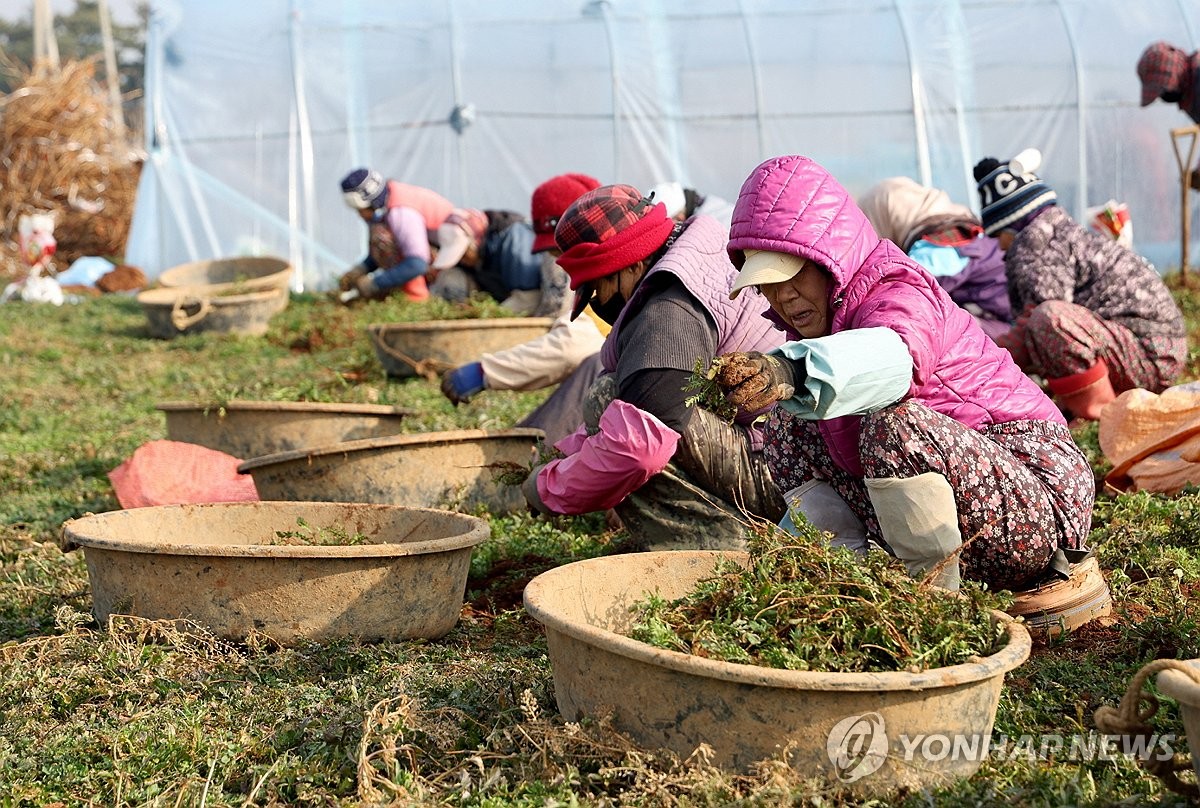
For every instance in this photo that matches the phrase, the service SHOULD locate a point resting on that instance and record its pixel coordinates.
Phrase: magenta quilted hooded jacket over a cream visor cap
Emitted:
(794, 206)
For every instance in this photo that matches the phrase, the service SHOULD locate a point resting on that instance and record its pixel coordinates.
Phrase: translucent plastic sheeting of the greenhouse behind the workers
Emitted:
(255, 111)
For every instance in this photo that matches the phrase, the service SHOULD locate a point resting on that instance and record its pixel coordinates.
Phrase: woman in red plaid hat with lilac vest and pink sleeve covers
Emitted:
(679, 477)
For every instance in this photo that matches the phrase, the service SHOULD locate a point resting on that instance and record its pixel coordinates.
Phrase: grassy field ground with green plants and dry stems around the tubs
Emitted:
(137, 714)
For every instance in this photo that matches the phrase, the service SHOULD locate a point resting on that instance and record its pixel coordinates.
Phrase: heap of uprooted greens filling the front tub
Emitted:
(803, 604)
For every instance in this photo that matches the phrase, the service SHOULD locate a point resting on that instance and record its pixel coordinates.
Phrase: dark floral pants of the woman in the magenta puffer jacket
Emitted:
(1023, 489)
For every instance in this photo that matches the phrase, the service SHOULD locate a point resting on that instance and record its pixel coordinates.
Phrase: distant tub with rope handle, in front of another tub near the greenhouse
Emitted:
(197, 309)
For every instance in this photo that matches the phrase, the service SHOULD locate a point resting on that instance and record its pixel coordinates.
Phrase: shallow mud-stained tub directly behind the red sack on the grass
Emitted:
(251, 429)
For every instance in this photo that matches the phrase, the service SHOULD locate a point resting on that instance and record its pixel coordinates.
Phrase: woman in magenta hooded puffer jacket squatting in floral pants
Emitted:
(898, 420)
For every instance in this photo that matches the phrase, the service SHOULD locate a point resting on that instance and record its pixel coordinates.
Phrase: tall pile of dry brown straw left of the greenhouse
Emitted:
(59, 154)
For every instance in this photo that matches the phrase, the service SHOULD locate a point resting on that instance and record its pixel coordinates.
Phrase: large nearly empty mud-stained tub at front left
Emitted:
(214, 565)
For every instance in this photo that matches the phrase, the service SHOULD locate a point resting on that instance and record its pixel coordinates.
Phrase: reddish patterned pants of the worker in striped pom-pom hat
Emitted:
(1064, 339)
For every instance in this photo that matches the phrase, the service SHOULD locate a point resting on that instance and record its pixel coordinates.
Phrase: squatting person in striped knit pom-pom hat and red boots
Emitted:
(1095, 318)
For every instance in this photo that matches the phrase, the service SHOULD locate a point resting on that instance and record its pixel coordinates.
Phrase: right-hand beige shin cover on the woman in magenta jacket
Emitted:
(920, 522)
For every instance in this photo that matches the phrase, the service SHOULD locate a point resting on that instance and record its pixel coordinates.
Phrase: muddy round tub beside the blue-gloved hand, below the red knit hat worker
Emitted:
(431, 348)
